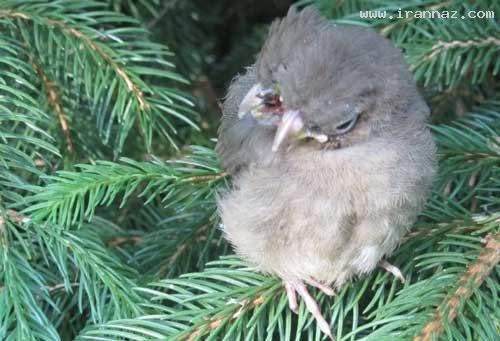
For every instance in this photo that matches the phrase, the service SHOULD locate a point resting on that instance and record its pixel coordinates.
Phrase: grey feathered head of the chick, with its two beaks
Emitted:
(320, 82)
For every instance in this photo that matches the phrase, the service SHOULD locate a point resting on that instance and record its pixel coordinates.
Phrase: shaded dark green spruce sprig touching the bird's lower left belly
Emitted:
(177, 240)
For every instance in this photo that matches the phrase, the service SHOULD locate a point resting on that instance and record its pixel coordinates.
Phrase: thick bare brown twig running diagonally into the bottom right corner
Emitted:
(476, 273)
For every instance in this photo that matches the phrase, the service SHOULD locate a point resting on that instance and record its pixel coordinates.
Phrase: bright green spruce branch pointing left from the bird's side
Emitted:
(74, 196)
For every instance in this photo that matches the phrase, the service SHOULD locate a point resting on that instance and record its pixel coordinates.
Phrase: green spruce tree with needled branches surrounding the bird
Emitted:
(108, 222)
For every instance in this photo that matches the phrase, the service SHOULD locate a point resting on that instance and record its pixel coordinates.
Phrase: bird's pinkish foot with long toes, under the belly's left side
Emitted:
(294, 287)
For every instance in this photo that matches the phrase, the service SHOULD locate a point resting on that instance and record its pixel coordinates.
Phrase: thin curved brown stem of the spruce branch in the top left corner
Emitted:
(132, 87)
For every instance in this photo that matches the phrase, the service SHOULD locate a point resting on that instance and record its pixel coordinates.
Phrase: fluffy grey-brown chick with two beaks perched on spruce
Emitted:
(331, 160)
